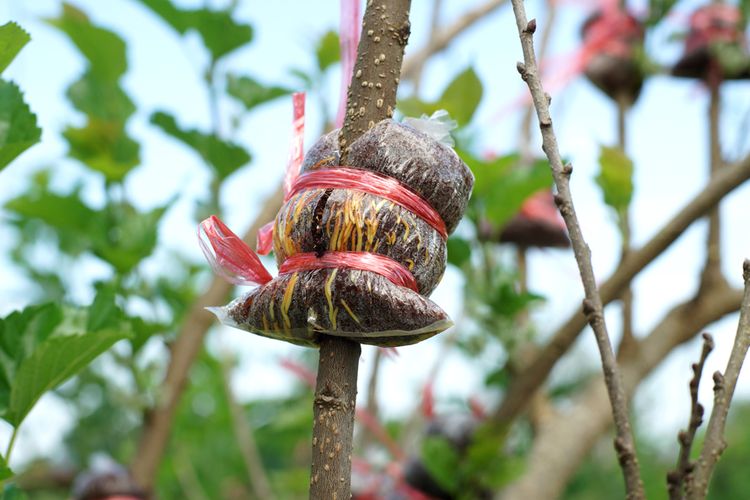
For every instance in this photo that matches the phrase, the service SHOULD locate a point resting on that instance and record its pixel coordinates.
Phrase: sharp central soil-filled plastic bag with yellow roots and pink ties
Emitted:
(359, 246)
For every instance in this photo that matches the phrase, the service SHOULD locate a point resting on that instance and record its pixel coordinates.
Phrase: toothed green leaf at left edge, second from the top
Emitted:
(18, 128)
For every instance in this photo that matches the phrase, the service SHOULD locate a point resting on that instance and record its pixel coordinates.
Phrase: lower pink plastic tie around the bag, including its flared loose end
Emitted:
(232, 259)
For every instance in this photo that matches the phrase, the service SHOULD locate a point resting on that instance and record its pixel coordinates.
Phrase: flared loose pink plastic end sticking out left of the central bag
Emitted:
(229, 256)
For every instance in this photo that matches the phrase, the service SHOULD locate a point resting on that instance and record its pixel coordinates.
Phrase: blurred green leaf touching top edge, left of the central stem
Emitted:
(221, 34)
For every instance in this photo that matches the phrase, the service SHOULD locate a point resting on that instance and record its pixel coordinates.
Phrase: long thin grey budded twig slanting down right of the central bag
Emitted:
(592, 304)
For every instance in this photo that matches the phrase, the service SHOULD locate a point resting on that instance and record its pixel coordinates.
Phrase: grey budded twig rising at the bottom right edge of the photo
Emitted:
(724, 385)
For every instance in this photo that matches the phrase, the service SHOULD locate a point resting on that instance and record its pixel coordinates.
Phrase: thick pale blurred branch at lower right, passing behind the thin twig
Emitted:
(565, 438)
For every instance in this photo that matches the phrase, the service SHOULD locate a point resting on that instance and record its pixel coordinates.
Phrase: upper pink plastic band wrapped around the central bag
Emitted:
(371, 183)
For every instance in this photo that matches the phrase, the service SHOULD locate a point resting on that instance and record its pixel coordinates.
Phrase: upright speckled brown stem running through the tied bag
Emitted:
(371, 98)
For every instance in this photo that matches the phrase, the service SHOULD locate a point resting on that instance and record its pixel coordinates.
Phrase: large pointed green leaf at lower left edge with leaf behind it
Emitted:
(42, 346)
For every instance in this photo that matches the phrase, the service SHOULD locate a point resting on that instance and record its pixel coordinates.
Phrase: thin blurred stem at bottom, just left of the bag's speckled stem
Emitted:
(259, 482)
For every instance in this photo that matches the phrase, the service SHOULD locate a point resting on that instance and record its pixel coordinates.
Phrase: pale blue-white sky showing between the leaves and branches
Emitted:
(667, 141)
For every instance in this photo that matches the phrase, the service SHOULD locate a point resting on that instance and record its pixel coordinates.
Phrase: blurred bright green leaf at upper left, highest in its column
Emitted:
(104, 50)
